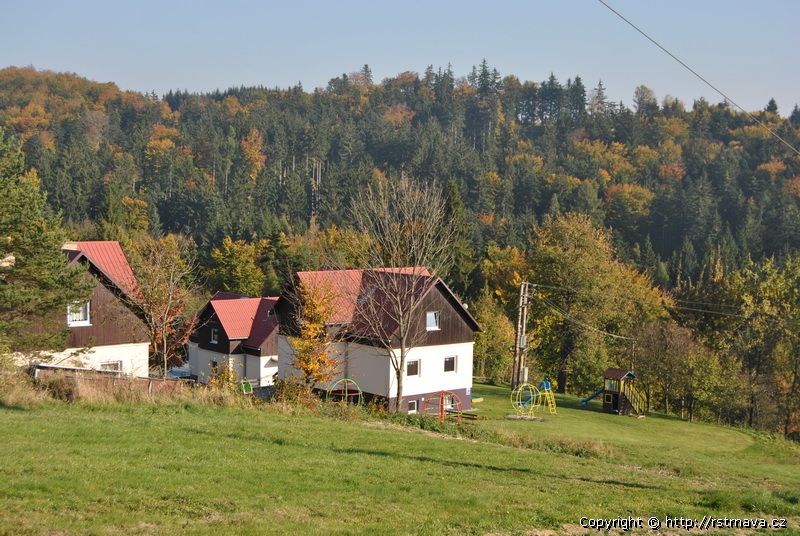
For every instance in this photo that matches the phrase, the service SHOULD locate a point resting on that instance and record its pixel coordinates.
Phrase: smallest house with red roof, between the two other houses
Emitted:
(239, 332)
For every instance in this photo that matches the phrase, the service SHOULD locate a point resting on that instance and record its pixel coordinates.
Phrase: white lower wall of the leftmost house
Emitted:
(134, 357)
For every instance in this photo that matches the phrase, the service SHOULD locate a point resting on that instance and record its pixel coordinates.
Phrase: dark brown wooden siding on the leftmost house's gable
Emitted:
(112, 322)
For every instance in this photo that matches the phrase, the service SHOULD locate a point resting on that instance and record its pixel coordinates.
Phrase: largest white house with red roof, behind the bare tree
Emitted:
(442, 335)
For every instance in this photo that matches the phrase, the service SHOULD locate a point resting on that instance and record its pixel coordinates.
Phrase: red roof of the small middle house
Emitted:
(244, 318)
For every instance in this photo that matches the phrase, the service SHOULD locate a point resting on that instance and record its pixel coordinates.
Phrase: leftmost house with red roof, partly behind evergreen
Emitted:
(105, 333)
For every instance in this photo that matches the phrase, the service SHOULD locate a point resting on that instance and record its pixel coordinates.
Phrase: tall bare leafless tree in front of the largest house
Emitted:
(410, 234)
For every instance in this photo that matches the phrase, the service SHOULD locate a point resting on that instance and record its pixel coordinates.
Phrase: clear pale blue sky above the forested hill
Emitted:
(747, 48)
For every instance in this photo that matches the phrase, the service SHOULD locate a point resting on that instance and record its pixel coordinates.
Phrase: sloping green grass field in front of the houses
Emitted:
(147, 469)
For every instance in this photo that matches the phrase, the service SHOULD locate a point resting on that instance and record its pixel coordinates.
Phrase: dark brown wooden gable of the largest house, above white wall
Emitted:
(453, 328)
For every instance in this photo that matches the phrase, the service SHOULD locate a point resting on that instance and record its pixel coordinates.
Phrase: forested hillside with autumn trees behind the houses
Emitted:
(693, 198)
